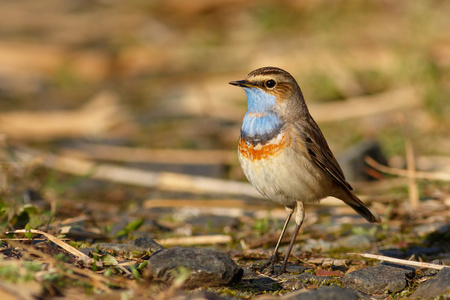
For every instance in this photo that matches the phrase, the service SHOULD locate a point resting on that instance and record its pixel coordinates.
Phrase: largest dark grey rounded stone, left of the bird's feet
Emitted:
(207, 267)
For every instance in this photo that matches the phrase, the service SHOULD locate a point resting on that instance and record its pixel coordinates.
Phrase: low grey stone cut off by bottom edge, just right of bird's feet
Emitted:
(323, 293)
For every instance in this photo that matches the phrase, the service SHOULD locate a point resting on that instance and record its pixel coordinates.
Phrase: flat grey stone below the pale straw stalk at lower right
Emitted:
(378, 279)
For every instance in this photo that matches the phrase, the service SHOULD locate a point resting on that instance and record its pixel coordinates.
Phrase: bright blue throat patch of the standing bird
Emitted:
(260, 122)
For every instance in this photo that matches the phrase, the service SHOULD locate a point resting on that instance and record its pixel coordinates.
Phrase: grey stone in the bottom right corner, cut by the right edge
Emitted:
(435, 286)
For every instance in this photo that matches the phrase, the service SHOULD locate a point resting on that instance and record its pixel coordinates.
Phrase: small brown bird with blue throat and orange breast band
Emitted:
(284, 154)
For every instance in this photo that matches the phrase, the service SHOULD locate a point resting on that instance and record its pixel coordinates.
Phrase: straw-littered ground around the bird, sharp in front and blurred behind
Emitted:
(117, 123)
